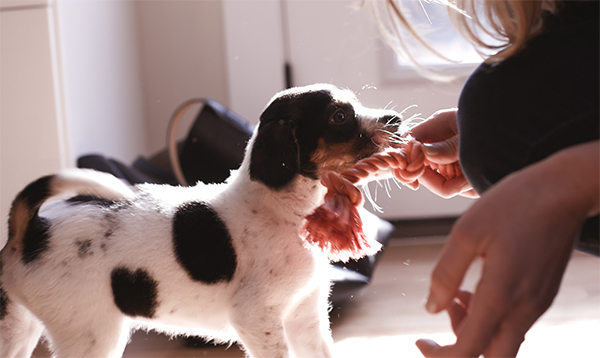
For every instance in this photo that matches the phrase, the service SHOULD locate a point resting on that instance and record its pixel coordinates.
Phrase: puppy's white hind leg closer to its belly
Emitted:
(102, 336)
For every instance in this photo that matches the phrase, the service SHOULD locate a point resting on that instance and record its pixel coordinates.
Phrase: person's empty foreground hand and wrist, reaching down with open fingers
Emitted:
(523, 229)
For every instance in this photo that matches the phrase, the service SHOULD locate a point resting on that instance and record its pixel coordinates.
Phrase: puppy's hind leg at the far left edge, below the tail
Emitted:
(19, 331)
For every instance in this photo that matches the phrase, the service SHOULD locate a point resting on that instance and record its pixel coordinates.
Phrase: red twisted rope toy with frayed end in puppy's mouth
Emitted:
(336, 227)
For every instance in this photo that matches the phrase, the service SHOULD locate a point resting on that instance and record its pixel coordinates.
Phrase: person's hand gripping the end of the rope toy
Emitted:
(439, 135)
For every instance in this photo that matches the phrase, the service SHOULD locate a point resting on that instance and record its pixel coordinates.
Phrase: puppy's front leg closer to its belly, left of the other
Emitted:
(260, 328)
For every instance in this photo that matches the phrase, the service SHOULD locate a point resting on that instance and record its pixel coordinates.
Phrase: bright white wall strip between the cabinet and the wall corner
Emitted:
(99, 48)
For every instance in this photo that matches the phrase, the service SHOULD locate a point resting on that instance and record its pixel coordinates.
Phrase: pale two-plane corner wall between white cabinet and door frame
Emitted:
(128, 64)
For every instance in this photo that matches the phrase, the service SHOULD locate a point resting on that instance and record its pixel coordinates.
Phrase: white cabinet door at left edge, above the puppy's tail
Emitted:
(30, 141)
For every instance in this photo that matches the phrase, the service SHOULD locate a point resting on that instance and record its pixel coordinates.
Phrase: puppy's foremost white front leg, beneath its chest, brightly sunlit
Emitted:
(307, 326)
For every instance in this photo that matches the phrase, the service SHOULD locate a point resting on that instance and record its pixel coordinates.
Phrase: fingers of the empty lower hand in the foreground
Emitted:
(481, 321)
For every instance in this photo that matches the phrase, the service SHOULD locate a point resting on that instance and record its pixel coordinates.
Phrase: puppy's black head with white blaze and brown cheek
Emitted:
(309, 130)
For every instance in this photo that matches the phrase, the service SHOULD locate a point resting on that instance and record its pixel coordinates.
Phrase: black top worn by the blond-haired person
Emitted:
(535, 103)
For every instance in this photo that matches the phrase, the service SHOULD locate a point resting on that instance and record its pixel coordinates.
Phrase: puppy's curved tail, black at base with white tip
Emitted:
(71, 182)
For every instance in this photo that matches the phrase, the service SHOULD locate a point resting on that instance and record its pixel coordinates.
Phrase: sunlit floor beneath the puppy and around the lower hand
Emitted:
(386, 317)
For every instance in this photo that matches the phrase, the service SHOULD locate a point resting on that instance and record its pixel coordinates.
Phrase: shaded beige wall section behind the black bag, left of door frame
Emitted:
(182, 57)
